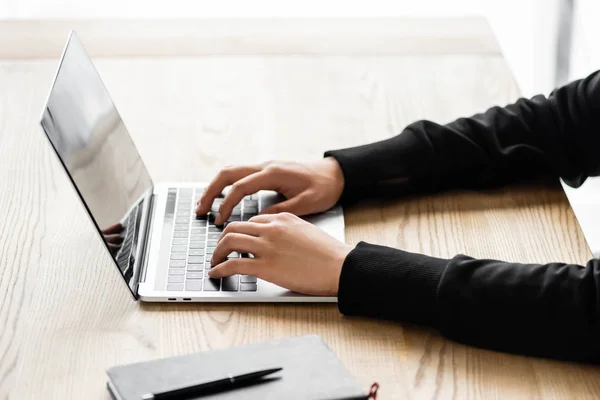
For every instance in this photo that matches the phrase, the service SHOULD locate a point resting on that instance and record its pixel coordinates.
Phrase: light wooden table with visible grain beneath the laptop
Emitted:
(199, 95)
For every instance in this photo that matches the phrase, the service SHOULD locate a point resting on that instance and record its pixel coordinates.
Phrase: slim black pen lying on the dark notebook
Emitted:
(200, 389)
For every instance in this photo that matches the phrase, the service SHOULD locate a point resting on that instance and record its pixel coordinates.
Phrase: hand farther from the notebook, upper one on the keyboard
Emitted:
(309, 188)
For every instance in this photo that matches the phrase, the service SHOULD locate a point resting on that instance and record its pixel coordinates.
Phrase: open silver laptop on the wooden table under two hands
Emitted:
(159, 246)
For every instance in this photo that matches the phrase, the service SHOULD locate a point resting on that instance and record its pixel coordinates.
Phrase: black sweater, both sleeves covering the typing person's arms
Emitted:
(550, 310)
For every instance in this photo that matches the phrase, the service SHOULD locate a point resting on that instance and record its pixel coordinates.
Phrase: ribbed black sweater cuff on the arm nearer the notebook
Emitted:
(383, 282)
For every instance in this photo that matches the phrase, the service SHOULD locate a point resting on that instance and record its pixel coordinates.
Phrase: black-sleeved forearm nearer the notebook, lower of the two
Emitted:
(550, 310)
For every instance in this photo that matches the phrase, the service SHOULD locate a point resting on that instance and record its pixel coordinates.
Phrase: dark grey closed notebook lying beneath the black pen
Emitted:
(310, 371)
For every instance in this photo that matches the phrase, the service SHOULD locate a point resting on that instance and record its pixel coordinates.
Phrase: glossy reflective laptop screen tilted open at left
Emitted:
(98, 154)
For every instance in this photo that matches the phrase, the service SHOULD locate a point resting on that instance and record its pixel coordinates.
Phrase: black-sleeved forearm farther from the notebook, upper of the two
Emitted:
(554, 136)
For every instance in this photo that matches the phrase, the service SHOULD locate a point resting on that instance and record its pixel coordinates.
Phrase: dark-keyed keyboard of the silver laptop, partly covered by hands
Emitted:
(193, 242)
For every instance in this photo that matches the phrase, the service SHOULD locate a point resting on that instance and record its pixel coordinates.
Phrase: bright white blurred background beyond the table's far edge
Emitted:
(546, 42)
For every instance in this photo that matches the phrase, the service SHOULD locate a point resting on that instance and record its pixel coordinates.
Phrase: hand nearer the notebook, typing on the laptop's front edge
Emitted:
(287, 250)
